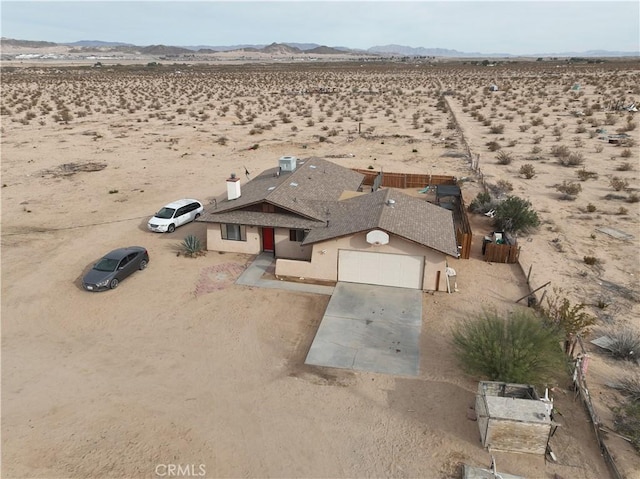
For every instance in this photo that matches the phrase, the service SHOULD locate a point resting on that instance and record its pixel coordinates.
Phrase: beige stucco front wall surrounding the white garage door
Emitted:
(324, 259)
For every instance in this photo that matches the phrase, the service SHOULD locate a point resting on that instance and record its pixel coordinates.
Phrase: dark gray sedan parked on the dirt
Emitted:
(114, 267)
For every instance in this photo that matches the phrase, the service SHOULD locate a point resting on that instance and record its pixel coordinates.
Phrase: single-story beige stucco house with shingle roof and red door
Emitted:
(315, 219)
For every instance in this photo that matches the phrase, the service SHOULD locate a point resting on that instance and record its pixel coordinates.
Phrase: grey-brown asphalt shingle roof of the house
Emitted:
(311, 193)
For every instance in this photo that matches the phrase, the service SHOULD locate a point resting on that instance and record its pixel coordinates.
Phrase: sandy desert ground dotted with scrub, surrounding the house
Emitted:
(181, 366)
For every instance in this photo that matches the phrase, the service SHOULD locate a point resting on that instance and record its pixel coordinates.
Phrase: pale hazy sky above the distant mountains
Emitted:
(516, 27)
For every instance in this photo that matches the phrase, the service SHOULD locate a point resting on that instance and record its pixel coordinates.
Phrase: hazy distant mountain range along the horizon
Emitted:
(88, 46)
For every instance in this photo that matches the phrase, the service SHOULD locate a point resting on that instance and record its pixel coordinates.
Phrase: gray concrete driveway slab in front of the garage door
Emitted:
(370, 328)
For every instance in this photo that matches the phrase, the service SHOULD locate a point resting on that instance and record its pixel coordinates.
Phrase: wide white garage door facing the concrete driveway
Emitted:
(380, 268)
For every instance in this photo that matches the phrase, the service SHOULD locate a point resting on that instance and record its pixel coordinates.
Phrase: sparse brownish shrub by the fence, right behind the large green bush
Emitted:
(570, 319)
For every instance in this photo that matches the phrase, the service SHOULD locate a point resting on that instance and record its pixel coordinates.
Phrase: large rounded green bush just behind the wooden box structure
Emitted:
(518, 348)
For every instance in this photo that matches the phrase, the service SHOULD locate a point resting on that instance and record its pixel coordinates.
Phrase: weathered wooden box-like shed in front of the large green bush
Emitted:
(512, 418)
